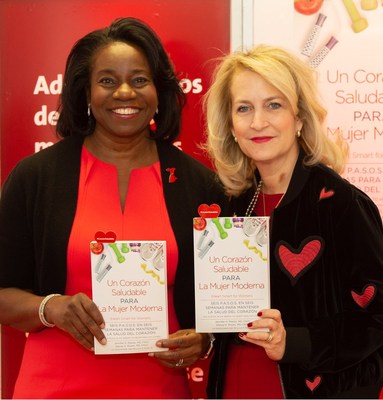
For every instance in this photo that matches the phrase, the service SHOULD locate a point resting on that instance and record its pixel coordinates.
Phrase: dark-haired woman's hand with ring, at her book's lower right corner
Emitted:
(185, 348)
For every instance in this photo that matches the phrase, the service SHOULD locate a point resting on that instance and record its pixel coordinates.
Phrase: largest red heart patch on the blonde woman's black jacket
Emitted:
(295, 262)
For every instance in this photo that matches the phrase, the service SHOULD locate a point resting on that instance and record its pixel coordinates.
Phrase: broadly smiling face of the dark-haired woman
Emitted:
(123, 97)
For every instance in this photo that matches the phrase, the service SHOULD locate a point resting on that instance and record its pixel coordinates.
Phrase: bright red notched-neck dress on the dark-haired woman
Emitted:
(54, 365)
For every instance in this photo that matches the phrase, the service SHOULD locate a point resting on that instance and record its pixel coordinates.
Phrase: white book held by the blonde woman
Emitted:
(232, 273)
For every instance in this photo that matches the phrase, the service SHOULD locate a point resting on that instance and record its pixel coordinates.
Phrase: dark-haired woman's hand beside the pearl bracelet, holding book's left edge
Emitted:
(78, 316)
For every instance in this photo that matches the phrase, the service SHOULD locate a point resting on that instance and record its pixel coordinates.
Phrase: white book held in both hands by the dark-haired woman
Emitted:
(130, 289)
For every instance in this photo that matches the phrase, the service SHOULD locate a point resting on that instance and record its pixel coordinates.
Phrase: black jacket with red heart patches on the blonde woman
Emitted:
(326, 273)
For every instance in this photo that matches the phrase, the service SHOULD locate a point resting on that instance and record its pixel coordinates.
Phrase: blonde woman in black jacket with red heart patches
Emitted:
(322, 337)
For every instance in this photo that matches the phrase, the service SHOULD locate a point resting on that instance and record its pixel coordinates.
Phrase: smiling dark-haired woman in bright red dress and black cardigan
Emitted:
(114, 169)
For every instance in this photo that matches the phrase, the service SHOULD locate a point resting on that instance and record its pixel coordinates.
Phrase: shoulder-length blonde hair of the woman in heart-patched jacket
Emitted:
(296, 81)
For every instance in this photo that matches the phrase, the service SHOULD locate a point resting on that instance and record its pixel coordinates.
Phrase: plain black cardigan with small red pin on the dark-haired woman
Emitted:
(38, 205)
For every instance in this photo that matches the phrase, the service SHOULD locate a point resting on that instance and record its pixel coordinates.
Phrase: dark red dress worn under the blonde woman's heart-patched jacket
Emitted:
(250, 374)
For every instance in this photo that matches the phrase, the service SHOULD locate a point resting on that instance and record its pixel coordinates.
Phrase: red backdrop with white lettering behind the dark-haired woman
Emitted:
(36, 37)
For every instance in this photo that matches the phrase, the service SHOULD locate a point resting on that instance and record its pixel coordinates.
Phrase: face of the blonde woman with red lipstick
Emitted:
(263, 121)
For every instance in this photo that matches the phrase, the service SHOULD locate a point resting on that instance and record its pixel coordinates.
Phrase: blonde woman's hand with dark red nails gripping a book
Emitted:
(273, 340)
